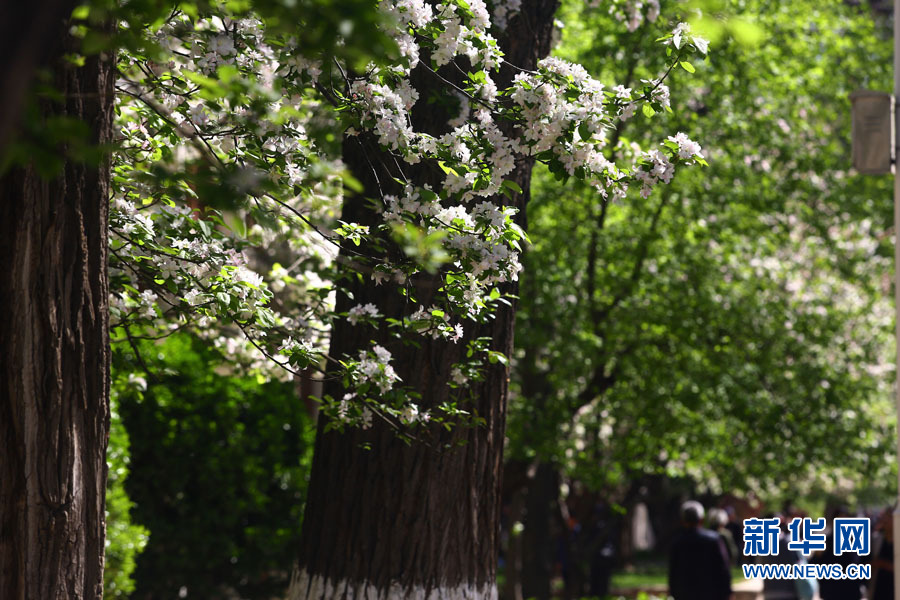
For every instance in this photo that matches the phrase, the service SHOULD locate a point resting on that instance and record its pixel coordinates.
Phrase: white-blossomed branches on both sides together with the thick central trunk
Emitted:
(385, 262)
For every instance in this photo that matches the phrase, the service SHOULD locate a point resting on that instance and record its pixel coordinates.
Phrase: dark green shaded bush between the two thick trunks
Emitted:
(219, 470)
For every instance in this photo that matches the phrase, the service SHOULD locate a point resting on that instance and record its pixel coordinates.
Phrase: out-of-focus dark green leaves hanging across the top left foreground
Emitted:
(353, 31)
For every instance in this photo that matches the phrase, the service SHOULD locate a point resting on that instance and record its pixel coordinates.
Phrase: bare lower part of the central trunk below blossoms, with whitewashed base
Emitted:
(407, 520)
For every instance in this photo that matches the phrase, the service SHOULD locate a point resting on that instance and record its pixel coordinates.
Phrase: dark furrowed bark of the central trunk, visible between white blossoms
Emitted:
(418, 520)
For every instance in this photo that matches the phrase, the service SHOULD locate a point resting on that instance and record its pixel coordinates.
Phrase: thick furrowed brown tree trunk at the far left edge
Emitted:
(54, 370)
